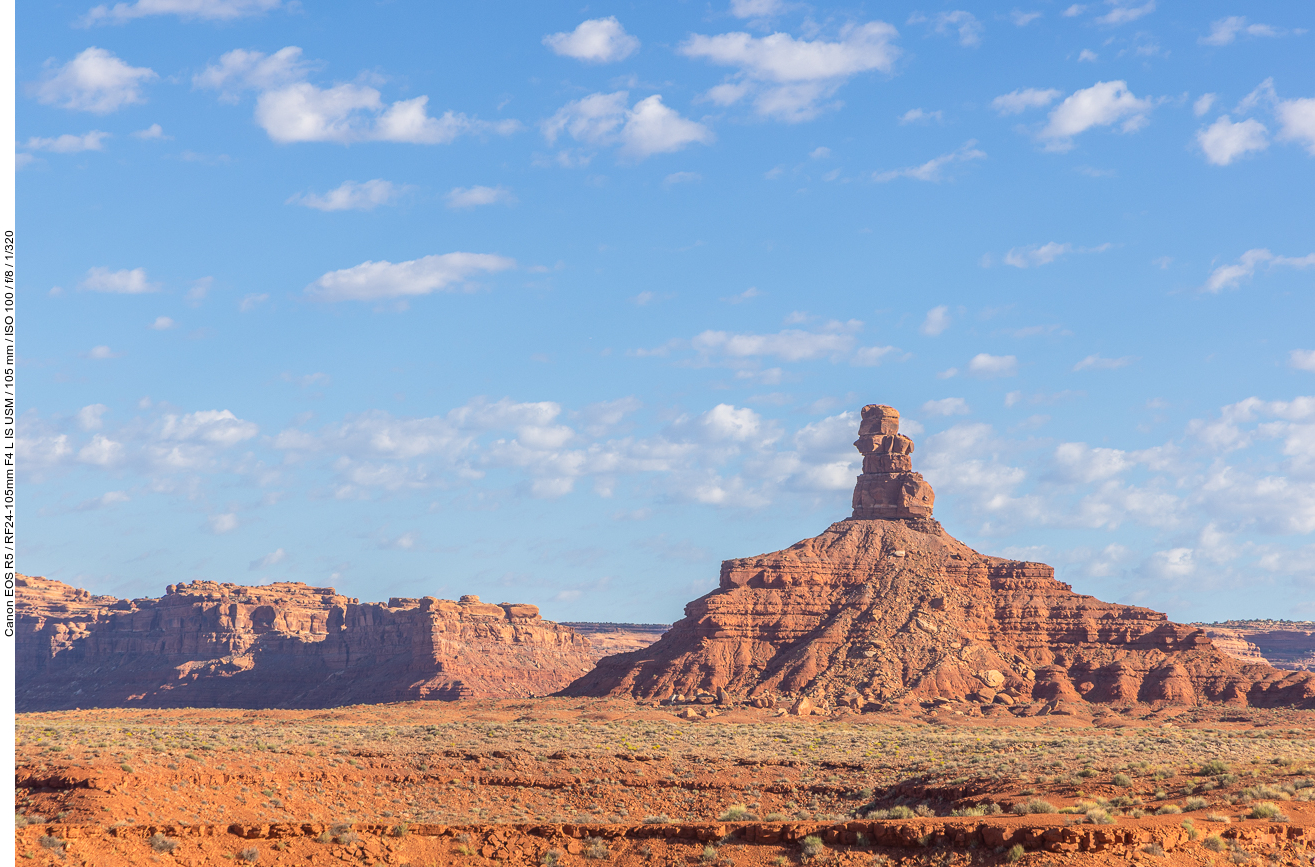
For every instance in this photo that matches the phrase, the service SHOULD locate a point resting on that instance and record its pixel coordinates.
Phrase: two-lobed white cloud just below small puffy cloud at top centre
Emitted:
(649, 128)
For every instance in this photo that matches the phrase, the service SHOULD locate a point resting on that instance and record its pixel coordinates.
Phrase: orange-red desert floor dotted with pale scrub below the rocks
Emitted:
(596, 782)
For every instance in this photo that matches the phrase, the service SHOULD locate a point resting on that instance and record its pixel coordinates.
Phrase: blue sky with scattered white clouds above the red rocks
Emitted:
(566, 305)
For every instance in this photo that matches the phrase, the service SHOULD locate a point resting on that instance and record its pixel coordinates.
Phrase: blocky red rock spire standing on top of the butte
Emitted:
(888, 487)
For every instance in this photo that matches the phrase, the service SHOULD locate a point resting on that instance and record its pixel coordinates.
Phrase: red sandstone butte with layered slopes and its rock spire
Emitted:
(887, 608)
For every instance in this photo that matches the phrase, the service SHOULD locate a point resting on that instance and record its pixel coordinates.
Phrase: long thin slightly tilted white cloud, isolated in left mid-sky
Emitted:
(378, 281)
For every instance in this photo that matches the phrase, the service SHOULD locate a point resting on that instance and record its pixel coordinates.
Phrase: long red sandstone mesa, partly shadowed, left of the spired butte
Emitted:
(286, 645)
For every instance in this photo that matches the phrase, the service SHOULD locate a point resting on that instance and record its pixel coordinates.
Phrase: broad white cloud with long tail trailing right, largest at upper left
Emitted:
(293, 110)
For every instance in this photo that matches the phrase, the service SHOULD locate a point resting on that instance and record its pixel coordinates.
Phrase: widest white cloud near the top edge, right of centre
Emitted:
(791, 80)
